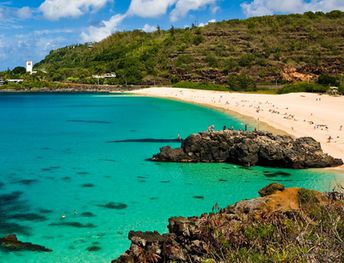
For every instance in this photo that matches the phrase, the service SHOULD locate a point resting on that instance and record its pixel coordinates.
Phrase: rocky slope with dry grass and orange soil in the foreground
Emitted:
(283, 225)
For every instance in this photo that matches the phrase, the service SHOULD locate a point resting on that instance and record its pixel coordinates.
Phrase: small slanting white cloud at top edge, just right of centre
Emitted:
(185, 6)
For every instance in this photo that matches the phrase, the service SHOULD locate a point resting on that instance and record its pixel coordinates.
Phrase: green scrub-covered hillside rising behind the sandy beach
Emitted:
(268, 49)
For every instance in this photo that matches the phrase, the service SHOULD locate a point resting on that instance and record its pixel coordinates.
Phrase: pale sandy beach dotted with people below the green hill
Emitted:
(297, 114)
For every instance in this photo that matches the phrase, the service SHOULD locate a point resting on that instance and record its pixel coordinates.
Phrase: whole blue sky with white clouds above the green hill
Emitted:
(29, 29)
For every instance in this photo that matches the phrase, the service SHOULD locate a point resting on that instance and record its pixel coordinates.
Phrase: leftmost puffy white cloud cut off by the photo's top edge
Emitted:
(56, 9)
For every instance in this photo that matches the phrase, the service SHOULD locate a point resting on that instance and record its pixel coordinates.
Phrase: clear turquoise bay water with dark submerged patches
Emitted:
(56, 150)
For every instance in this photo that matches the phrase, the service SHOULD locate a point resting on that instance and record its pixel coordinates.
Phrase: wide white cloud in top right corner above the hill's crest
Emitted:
(269, 7)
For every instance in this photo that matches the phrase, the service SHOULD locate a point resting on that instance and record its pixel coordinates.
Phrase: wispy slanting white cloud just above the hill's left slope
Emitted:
(106, 28)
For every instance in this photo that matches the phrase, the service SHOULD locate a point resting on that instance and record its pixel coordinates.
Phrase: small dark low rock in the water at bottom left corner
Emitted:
(11, 243)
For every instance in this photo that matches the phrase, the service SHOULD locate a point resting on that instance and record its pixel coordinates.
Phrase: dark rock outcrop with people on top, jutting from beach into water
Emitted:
(249, 148)
